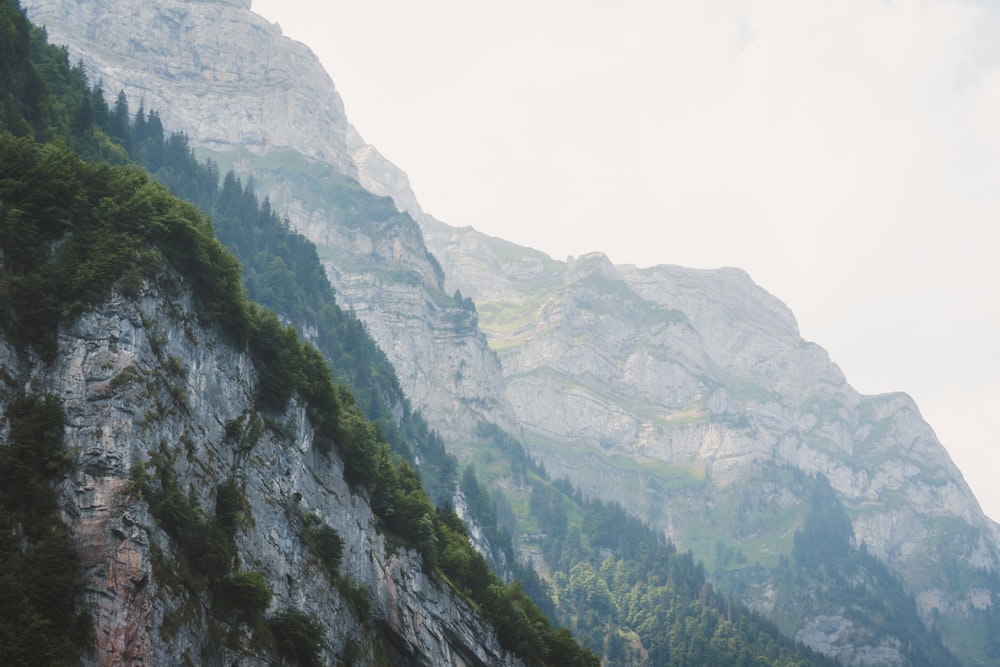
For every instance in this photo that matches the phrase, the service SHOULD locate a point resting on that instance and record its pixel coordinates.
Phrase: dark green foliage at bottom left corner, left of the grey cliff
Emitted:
(39, 624)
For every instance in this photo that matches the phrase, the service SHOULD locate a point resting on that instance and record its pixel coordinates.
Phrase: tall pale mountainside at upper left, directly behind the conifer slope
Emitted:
(262, 104)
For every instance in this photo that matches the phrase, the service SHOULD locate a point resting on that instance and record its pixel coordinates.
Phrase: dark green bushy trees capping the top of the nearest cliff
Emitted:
(72, 231)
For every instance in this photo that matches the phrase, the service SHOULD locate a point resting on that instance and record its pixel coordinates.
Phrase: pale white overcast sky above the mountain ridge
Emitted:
(846, 154)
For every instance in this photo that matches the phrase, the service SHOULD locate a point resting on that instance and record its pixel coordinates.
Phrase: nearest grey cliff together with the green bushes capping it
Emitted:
(164, 419)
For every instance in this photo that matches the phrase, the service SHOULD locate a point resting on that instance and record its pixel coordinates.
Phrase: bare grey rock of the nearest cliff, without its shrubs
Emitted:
(138, 376)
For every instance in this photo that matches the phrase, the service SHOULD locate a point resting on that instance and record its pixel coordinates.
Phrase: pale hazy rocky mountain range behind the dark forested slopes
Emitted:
(688, 396)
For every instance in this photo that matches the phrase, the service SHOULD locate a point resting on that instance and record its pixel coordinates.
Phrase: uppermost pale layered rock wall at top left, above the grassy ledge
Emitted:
(268, 91)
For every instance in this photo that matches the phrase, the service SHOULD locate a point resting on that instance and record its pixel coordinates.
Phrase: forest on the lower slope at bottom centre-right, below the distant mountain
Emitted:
(614, 578)
